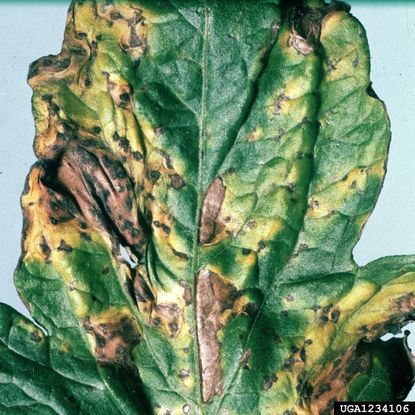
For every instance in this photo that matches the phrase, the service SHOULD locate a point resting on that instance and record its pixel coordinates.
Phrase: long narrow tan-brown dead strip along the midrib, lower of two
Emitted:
(213, 296)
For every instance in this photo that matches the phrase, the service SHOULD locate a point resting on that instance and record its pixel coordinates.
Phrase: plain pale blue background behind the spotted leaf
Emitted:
(29, 31)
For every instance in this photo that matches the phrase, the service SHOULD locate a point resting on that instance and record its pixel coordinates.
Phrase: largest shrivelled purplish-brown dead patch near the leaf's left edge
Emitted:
(99, 189)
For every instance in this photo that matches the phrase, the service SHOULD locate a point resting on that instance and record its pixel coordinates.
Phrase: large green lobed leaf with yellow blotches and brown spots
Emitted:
(233, 151)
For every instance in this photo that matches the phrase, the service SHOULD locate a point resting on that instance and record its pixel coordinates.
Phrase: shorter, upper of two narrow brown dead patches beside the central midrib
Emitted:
(210, 226)
